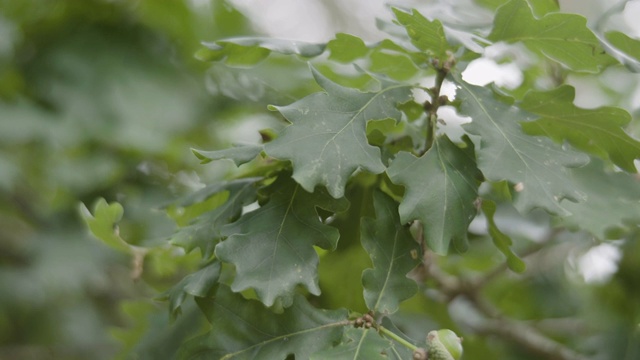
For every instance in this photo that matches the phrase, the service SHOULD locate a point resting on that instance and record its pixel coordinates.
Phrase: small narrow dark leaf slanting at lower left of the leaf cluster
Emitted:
(197, 284)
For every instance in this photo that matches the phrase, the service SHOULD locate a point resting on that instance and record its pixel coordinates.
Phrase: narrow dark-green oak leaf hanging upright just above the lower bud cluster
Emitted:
(393, 253)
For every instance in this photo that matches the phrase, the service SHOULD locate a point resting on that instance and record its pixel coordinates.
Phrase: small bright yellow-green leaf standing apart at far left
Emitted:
(103, 223)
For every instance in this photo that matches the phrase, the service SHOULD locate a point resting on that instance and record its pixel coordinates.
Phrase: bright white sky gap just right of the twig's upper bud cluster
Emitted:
(484, 71)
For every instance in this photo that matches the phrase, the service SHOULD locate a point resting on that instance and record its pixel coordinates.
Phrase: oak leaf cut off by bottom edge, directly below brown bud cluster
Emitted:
(357, 344)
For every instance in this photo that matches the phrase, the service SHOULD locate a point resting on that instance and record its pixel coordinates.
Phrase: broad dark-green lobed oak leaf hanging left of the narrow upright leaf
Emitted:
(272, 247)
